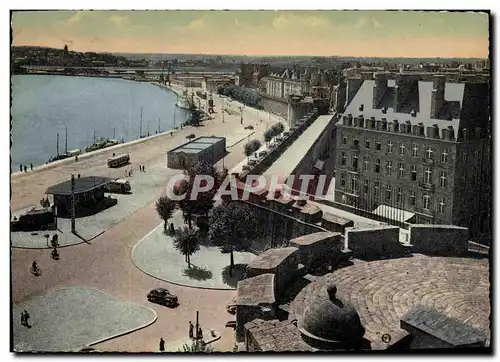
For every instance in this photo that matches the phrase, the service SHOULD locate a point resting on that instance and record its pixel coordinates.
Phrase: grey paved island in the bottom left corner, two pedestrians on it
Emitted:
(70, 318)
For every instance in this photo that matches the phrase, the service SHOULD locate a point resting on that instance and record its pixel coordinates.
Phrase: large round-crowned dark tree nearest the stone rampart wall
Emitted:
(232, 227)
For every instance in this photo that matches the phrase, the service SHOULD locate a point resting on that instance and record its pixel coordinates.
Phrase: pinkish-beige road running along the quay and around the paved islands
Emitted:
(106, 262)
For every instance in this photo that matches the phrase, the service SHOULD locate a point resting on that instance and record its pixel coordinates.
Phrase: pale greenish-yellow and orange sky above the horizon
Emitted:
(410, 34)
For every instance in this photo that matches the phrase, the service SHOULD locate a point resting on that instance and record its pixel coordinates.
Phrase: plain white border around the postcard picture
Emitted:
(186, 4)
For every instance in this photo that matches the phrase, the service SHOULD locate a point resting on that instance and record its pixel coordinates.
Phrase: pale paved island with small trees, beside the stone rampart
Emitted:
(155, 255)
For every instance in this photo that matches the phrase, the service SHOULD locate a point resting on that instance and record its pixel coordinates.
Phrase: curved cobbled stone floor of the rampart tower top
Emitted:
(383, 291)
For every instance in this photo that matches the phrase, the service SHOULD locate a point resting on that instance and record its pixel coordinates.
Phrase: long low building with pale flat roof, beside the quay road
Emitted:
(209, 149)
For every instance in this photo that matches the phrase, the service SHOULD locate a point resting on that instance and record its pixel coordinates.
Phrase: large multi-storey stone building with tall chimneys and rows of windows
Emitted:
(416, 151)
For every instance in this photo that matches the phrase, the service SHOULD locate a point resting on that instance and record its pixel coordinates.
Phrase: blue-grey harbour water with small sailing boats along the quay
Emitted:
(43, 105)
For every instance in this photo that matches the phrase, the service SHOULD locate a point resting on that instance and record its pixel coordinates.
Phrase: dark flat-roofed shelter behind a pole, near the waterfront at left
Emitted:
(88, 191)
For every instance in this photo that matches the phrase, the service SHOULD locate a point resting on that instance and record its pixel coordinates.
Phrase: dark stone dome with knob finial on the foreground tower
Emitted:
(331, 320)
